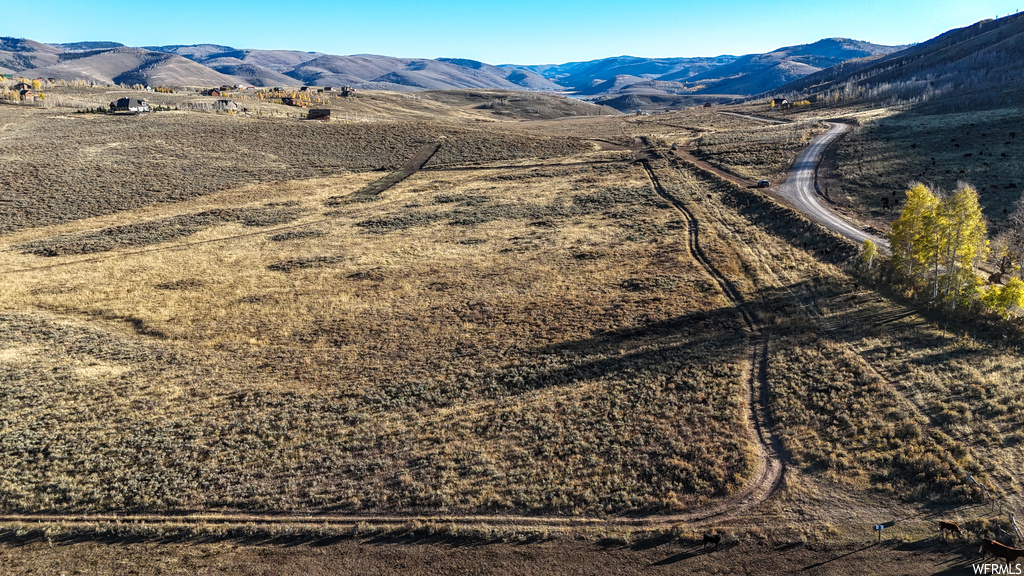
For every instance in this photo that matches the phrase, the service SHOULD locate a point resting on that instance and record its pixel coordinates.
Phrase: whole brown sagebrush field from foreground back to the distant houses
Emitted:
(525, 332)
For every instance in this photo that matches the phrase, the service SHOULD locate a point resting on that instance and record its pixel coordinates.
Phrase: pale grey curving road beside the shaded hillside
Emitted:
(799, 191)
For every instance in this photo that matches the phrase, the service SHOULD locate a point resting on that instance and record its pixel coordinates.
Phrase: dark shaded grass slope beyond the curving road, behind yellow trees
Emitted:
(890, 149)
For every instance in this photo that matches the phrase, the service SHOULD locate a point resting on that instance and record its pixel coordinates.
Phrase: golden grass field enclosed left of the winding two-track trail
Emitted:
(513, 340)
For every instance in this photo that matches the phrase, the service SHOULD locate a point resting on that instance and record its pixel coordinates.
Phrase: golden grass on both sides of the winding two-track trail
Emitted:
(522, 335)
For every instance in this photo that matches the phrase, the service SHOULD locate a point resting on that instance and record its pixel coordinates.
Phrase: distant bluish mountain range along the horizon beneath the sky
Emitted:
(110, 63)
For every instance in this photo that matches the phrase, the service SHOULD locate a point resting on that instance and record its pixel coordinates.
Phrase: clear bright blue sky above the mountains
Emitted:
(531, 32)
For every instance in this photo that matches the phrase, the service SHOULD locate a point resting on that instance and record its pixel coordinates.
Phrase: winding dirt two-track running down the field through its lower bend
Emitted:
(770, 472)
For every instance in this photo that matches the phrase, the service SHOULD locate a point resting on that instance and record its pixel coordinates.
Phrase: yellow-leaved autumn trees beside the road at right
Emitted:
(937, 243)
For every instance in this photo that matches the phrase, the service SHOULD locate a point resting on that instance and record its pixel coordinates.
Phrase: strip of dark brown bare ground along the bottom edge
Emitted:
(414, 554)
